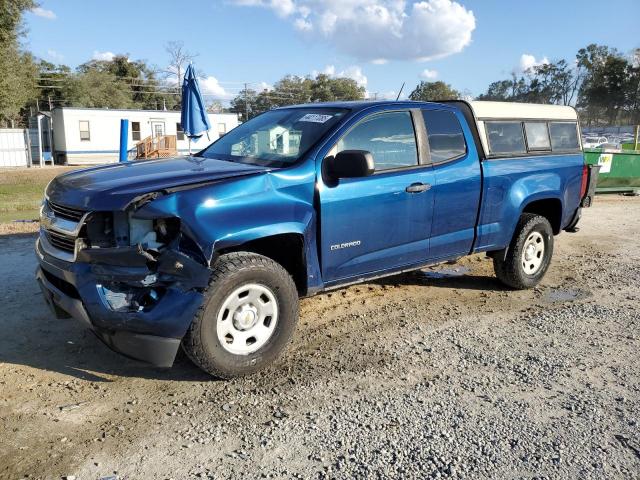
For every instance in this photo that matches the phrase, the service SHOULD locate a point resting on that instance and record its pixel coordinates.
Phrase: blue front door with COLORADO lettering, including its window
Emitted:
(379, 222)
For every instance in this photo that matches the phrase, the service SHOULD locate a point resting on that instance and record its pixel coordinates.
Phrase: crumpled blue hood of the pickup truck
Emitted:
(113, 187)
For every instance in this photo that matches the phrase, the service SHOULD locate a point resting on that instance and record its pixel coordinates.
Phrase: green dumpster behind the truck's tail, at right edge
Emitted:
(619, 171)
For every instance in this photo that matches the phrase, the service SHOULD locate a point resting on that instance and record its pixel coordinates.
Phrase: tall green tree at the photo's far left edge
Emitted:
(18, 77)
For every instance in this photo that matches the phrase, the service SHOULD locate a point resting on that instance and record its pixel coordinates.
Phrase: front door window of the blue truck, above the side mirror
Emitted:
(388, 136)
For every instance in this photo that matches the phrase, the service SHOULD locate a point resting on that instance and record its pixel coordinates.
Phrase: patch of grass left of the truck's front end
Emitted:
(22, 190)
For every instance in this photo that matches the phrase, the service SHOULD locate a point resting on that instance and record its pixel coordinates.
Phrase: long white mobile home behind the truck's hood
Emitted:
(92, 135)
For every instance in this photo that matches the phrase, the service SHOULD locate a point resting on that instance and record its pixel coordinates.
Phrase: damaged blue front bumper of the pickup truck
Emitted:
(153, 336)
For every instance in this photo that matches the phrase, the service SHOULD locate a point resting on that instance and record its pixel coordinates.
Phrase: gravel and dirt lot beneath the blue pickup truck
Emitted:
(435, 374)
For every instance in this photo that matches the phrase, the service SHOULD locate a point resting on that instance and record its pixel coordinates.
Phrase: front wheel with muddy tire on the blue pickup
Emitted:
(244, 288)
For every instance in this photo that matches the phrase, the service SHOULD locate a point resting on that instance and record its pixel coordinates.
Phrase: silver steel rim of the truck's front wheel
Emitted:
(247, 319)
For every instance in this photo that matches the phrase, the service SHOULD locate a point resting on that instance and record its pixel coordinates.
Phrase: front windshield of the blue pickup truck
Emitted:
(277, 138)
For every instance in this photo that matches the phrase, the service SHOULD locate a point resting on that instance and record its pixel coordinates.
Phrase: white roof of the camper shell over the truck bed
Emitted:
(525, 111)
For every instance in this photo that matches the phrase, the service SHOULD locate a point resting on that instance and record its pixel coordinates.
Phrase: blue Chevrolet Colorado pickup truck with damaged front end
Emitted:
(211, 252)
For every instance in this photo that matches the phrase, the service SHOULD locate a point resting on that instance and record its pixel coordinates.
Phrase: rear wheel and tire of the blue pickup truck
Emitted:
(528, 255)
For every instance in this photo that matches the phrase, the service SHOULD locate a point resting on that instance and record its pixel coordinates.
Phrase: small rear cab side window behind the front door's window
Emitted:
(446, 140)
